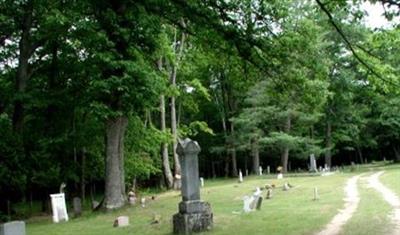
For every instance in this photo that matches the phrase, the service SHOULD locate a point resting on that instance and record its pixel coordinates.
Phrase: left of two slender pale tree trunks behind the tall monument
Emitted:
(164, 148)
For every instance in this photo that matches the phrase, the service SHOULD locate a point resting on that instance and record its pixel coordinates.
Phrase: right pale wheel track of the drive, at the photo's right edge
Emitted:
(390, 197)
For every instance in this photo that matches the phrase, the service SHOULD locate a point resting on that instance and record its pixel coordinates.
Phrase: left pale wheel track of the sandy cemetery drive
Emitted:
(352, 199)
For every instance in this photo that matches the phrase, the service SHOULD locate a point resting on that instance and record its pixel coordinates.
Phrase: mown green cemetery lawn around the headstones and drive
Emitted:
(289, 212)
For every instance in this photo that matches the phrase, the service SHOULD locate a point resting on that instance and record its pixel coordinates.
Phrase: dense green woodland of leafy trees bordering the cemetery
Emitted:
(95, 92)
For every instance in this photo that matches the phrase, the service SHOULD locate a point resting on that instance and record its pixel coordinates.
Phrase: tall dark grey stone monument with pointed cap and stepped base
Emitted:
(194, 215)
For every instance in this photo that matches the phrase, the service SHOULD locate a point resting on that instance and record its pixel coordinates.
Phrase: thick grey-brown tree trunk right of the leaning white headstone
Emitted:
(115, 179)
